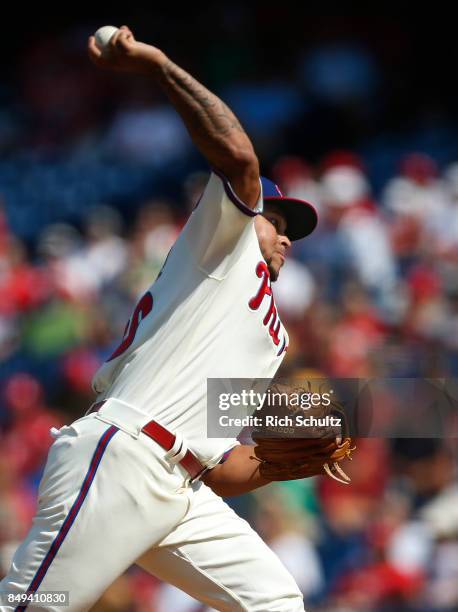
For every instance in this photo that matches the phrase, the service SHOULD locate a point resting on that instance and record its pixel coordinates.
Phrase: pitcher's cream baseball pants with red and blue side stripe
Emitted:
(108, 500)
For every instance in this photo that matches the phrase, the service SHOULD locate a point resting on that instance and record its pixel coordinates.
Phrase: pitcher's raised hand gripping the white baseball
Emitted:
(126, 54)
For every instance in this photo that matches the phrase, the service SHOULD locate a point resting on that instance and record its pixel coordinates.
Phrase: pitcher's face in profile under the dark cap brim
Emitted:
(274, 244)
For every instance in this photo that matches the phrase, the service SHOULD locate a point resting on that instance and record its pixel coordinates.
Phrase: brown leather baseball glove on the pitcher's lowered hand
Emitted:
(296, 451)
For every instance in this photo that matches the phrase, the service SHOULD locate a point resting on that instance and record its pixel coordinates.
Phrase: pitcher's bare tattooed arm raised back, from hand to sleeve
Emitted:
(212, 126)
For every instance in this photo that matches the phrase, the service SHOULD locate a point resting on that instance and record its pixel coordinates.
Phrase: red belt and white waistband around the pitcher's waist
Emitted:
(135, 422)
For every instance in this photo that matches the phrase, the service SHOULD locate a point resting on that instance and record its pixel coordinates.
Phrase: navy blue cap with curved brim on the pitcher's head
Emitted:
(301, 217)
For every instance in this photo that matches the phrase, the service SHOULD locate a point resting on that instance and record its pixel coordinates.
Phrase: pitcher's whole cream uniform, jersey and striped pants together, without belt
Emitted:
(108, 499)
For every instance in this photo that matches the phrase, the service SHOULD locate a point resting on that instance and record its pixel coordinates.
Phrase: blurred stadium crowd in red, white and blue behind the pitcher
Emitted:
(96, 180)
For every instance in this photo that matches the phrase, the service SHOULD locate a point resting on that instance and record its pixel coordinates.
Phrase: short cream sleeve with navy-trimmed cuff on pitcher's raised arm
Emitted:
(219, 226)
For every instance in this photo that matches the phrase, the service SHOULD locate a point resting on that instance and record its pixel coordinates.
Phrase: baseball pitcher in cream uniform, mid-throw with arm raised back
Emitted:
(136, 480)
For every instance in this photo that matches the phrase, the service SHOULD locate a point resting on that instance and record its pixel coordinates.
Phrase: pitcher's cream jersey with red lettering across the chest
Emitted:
(210, 314)
